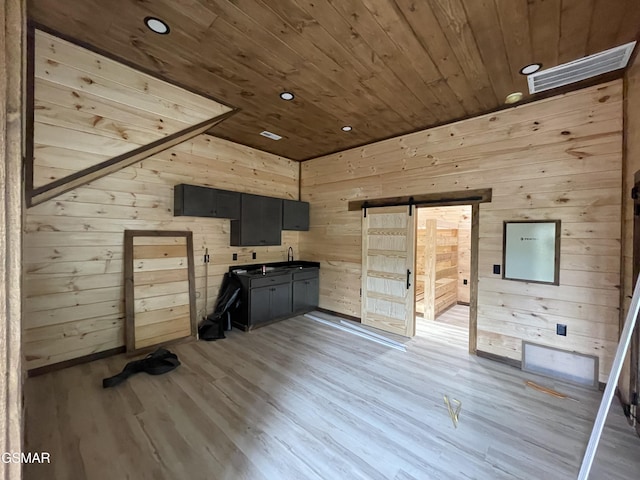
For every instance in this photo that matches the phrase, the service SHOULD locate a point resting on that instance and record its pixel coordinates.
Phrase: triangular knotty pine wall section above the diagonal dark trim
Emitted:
(88, 108)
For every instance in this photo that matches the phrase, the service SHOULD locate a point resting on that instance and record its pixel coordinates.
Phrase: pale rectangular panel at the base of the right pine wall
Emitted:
(571, 367)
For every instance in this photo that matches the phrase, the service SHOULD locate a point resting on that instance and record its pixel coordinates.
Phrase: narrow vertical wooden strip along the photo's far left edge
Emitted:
(12, 20)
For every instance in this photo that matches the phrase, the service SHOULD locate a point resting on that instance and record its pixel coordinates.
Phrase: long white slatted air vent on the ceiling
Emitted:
(581, 69)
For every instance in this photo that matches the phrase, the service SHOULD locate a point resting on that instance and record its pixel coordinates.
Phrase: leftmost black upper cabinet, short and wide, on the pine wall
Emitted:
(196, 201)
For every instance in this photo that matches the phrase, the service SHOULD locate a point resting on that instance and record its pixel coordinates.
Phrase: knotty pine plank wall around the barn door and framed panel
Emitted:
(560, 158)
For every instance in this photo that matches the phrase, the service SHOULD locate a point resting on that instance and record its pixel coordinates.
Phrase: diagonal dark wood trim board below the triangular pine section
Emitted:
(78, 179)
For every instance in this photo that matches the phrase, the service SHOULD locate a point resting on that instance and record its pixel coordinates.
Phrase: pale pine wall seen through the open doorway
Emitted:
(458, 217)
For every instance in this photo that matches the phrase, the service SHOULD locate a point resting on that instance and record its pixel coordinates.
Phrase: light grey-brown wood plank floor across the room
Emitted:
(301, 400)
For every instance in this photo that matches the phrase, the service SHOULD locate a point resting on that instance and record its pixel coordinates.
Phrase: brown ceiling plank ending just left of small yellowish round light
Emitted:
(452, 18)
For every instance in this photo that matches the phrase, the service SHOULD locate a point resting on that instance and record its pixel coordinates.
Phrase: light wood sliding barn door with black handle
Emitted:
(388, 251)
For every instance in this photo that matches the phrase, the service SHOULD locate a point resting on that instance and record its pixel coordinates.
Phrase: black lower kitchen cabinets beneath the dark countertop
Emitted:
(275, 296)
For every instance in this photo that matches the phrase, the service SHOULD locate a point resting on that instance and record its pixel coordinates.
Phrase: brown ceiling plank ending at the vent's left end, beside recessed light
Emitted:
(544, 23)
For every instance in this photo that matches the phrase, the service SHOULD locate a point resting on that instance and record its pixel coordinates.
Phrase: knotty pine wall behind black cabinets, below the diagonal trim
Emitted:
(73, 268)
